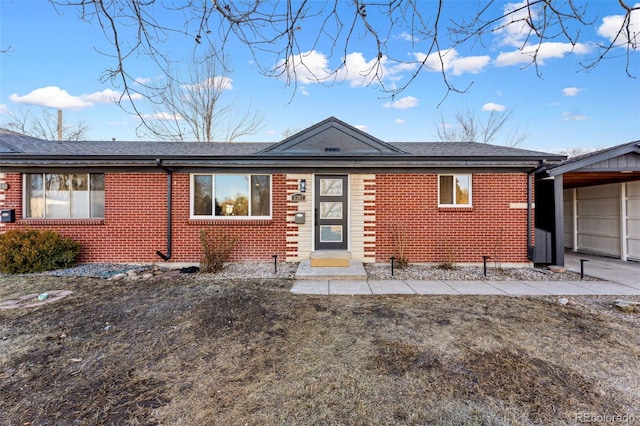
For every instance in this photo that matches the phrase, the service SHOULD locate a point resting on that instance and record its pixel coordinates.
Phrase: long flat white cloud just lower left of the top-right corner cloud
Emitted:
(542, 52)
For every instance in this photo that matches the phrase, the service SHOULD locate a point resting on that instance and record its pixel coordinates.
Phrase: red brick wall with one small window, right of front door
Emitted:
(432, 234)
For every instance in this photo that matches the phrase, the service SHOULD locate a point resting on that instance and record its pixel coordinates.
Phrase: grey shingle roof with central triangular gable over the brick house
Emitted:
(18, 150)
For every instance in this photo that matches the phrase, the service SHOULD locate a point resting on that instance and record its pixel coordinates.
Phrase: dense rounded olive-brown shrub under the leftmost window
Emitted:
(26, 251)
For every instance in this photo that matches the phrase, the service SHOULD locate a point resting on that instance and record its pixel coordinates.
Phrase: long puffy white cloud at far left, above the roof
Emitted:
(55, 97)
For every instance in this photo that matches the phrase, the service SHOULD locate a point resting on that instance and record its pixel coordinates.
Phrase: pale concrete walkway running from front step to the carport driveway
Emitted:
(619, 278)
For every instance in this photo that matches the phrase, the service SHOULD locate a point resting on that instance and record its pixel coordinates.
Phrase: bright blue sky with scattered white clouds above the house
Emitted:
(55, 61)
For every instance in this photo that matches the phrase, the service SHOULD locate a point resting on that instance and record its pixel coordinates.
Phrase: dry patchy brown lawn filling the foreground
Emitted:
(194, 350)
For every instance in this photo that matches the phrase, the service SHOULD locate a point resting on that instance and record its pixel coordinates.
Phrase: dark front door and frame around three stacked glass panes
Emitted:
(320, 222)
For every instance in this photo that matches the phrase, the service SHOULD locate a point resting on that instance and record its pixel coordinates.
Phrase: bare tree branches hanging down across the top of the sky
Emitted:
(271, 31)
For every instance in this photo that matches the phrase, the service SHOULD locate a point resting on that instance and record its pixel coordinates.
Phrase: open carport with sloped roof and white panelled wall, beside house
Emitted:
(591, 204)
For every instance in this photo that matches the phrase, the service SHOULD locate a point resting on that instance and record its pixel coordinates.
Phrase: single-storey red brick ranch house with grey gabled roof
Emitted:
(328, 187)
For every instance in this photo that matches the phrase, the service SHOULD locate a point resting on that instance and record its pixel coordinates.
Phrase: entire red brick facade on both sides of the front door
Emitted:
(134, 227)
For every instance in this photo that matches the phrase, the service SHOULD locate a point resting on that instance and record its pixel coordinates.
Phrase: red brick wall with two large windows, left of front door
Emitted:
(135, 222)
